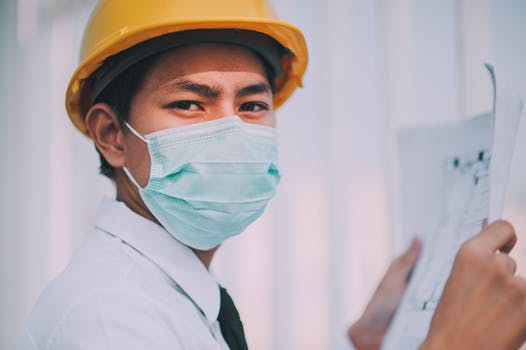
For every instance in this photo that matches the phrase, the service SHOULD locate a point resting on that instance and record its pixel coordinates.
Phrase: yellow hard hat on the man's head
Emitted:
(119, 25)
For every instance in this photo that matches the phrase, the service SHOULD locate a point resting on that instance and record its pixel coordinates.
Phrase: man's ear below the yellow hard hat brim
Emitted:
(104, 128)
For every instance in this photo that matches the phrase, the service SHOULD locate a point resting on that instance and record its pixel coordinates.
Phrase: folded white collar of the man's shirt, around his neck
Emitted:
(173, 257)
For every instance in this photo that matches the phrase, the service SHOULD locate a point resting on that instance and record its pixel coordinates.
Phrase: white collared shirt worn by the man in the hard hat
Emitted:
(130, 286)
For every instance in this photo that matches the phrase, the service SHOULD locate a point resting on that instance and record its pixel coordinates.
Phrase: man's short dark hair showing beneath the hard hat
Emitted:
(119, 93)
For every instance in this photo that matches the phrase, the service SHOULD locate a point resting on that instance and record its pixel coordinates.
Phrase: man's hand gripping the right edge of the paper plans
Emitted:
(484, 303)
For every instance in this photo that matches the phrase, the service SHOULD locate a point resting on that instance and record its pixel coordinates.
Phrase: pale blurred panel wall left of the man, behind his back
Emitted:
(39, 229)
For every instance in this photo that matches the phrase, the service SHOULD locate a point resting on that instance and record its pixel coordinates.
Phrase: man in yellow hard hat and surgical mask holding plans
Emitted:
(178, 98)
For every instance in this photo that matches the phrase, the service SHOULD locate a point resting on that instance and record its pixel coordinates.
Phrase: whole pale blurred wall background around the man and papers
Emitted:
(303, 272)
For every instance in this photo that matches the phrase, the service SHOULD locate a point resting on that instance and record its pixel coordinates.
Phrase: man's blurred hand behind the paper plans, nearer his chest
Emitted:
(368, 332)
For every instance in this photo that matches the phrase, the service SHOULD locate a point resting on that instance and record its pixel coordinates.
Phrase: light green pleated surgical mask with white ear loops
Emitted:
(209, 181)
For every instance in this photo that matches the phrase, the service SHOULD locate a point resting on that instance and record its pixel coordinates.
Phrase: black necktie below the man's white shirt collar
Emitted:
(231, 326)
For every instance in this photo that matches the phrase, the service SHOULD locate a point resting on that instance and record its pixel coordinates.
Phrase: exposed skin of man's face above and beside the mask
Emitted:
(194, 84)
